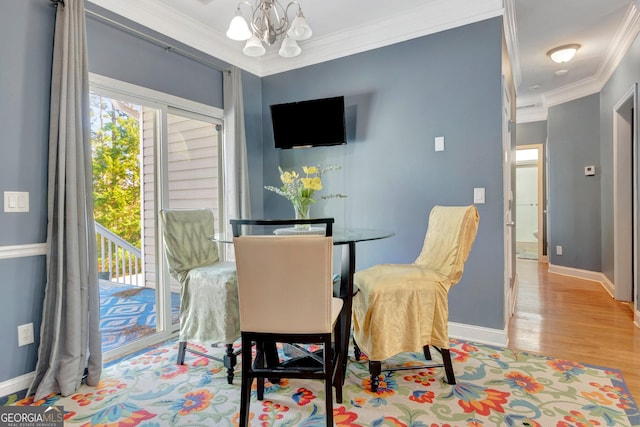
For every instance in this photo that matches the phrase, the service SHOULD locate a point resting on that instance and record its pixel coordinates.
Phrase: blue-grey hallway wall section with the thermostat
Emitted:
(574, 199)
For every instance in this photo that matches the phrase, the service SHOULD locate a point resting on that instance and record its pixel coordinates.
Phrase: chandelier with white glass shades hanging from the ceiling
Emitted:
(269, 22)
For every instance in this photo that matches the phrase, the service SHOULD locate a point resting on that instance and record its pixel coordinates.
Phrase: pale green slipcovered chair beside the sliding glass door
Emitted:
(209, 288)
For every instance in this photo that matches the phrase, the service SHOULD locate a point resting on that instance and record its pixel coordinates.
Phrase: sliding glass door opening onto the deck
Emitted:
(147, 155)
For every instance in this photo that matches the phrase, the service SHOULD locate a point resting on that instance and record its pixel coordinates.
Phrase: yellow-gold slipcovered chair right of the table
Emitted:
(404, 307)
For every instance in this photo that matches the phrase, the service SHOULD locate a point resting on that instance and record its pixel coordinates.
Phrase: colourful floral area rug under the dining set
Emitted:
(495, 387)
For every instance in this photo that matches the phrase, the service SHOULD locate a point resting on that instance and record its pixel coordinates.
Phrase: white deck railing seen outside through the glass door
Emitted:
(118, 260)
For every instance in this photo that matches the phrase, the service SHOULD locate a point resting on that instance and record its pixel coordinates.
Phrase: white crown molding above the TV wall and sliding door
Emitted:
(434, 16)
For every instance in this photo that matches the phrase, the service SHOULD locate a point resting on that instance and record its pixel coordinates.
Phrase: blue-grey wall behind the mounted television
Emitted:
(398, 98)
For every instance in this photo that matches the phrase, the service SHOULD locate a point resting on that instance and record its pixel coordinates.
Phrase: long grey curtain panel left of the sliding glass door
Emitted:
(70, 340)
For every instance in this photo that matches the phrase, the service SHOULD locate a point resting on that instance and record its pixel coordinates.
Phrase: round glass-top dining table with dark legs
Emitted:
(347, 239)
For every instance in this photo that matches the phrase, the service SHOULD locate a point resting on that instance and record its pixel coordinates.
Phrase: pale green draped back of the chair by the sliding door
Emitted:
(188, 240)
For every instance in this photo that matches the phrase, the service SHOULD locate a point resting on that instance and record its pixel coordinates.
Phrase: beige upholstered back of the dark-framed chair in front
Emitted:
(284, 281)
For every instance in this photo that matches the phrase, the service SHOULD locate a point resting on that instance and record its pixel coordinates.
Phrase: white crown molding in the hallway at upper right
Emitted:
(622, 41)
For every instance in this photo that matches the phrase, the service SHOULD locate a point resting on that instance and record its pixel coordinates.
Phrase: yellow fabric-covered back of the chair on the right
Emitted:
(450, 236)
